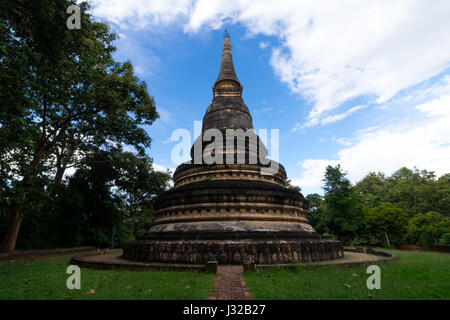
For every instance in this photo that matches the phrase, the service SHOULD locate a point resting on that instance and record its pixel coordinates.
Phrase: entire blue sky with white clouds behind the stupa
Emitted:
(366, 86)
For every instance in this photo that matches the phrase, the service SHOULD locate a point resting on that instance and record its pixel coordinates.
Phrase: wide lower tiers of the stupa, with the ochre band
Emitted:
(232, 222)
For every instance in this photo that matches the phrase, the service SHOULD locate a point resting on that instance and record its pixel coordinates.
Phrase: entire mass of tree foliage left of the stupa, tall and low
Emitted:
(66, 103)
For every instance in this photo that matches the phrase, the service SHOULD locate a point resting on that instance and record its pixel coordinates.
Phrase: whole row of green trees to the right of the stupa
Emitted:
(379, 208)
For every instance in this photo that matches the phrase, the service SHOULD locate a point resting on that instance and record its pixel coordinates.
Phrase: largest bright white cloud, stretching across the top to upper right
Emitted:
(330, 52)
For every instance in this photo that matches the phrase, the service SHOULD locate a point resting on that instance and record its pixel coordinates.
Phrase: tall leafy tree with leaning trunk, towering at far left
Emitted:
(62, 94)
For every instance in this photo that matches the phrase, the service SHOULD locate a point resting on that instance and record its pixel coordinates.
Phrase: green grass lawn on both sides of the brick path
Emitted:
(415, 275)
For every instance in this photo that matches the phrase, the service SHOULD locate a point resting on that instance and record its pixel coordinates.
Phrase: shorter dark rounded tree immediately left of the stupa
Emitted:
(114, 186)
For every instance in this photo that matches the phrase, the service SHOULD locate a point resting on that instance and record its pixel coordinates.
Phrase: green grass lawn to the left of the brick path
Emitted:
(46, 279)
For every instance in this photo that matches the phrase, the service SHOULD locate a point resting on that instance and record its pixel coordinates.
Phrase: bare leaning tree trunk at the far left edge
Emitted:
(10, 240)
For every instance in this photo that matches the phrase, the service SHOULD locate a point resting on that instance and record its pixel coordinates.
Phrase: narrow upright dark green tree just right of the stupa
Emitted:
(342, 213)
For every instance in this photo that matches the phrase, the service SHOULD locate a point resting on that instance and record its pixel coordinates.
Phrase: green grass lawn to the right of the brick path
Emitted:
(415, 275)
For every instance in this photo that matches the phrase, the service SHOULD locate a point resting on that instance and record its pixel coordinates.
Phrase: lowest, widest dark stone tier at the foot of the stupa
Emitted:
(233, 251)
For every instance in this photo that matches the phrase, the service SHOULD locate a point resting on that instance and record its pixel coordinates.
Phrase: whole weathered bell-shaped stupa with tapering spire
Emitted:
(232, 212)
